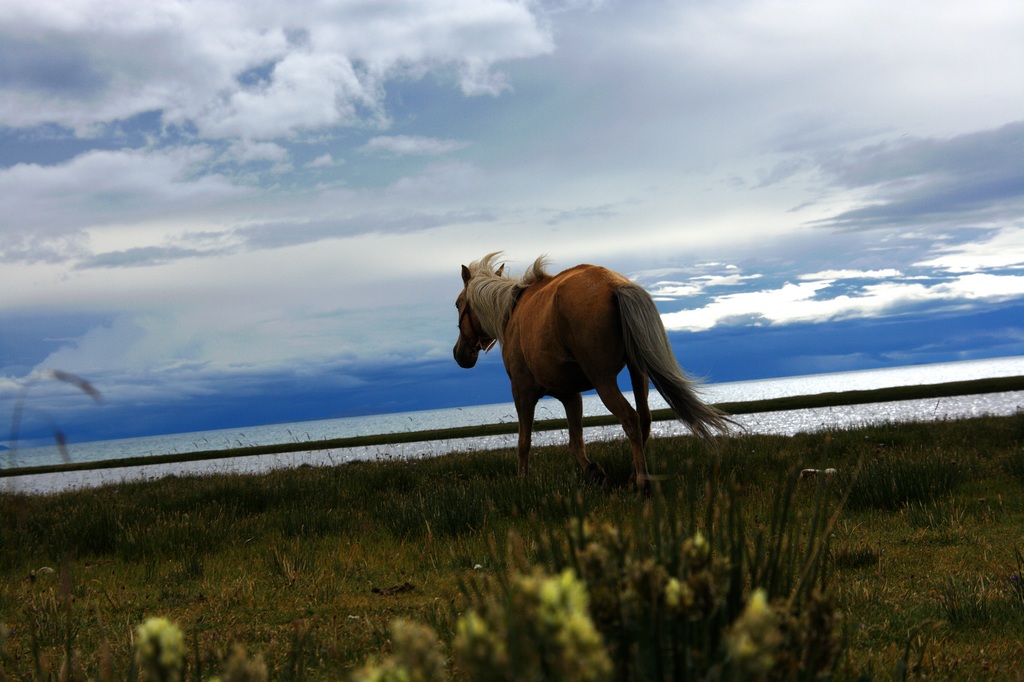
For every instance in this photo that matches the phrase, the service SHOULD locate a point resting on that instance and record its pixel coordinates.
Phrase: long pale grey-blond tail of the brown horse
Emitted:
(648, 350)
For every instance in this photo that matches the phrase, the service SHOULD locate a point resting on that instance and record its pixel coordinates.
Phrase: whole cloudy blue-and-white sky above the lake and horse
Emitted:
(229, 214)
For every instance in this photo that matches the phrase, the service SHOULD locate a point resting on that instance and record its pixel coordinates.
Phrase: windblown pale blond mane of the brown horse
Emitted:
(493, 294)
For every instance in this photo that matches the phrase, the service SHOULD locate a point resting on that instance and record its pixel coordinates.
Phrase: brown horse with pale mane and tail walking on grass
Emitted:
(569, 333)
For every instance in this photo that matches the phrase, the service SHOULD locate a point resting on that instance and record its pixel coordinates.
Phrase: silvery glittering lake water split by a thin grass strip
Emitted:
(786, 423)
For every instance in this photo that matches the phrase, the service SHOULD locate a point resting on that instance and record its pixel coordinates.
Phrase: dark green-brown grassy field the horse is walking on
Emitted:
(911, 552)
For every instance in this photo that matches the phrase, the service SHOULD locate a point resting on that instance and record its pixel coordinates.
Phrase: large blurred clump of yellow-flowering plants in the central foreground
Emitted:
(659, 600)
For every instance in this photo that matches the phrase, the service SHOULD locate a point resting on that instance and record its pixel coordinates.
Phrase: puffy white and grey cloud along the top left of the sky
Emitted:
(253, 70)
